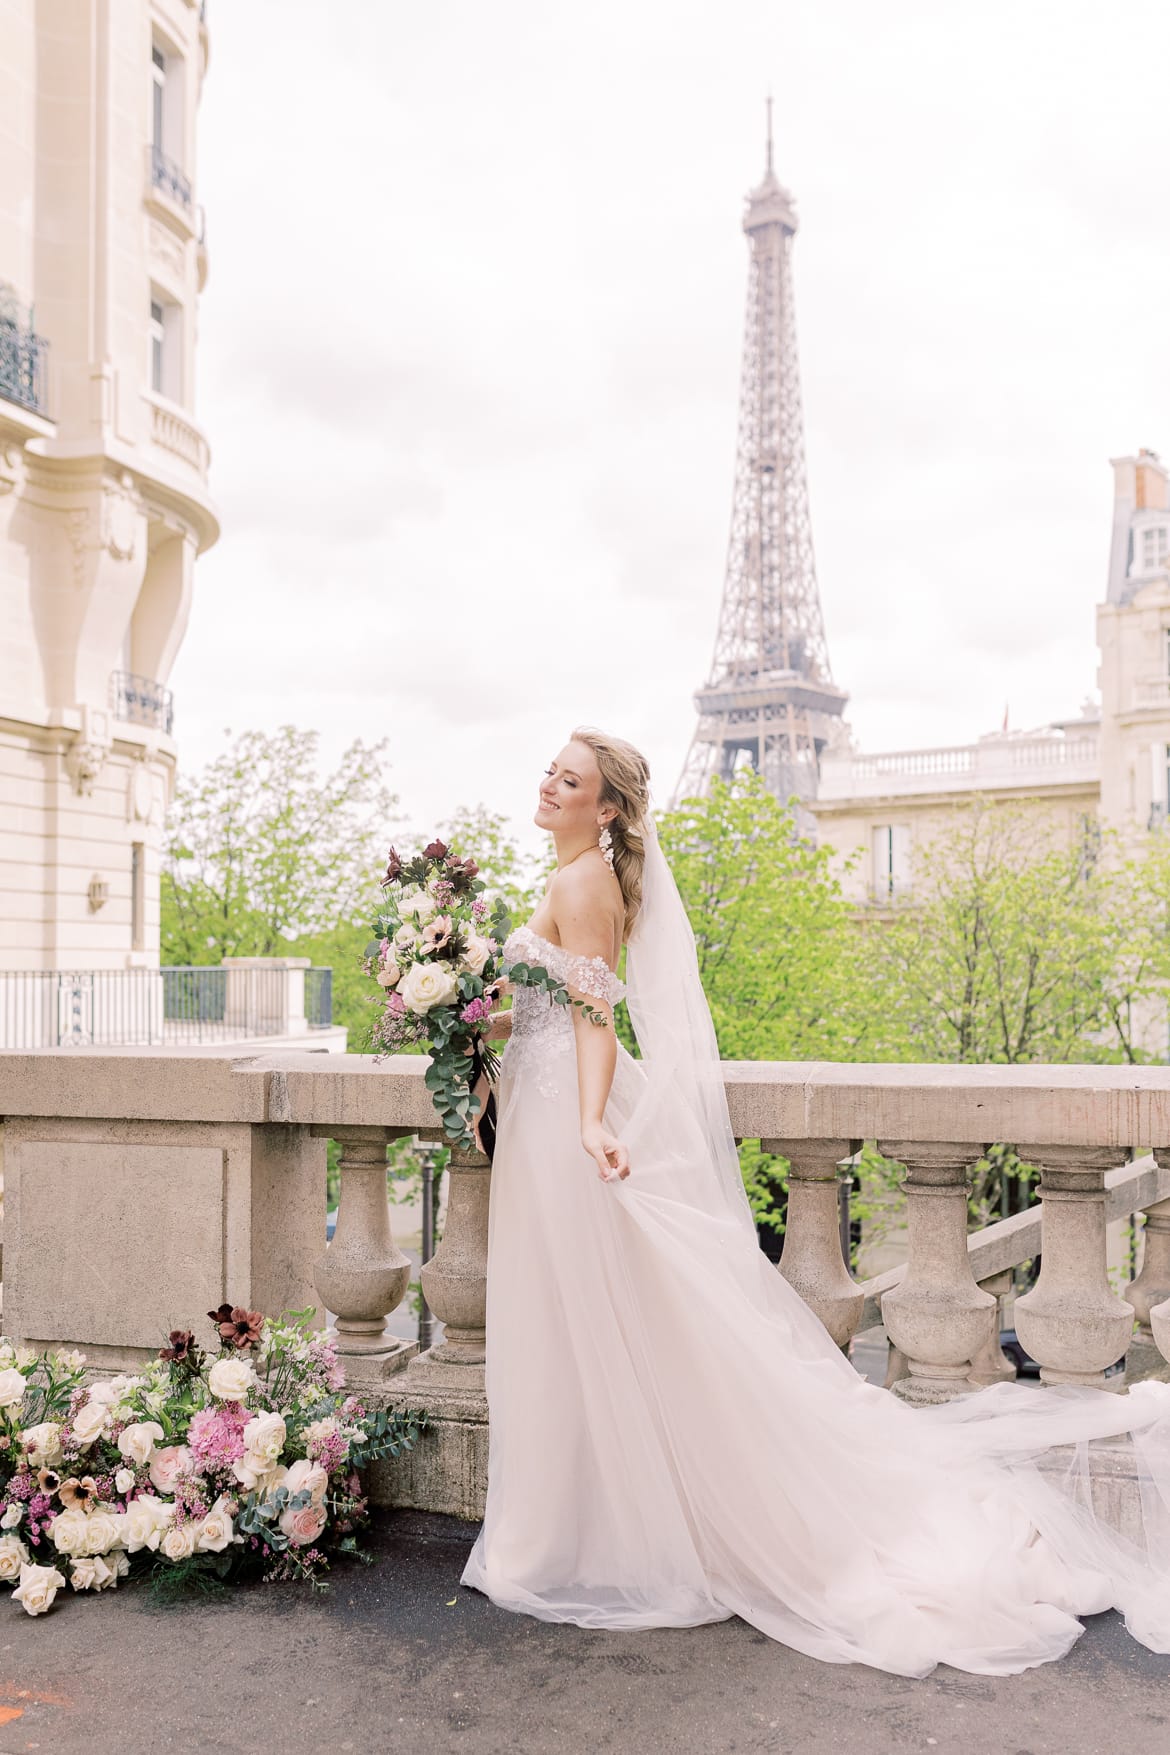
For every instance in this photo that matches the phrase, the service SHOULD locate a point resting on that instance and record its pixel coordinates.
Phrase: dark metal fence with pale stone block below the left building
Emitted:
(157, 1008)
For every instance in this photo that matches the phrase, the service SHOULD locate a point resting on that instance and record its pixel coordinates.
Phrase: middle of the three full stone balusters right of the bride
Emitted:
(938, 1317)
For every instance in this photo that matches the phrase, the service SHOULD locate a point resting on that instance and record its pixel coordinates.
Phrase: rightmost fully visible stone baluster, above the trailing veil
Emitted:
(1071, 1322)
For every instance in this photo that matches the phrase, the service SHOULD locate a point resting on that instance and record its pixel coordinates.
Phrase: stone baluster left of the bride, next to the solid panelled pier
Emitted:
(362, 1277)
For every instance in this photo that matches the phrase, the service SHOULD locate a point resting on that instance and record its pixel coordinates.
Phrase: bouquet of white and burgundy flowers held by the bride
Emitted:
(438, 950)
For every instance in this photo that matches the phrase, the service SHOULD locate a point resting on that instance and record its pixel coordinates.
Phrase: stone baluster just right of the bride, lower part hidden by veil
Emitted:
(813, 1259)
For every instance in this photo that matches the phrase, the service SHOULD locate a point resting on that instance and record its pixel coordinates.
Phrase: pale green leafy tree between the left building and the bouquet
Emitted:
(262, 854)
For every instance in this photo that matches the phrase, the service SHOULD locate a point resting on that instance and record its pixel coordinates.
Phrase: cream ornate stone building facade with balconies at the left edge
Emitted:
(104, 496)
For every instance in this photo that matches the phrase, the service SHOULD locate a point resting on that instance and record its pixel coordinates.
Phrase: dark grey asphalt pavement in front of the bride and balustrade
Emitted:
(401, 1658)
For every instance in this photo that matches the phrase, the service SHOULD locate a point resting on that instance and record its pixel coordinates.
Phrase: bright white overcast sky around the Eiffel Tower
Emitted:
(469, 361)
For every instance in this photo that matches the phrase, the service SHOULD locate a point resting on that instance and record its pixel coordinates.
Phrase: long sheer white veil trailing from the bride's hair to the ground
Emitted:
(818, 1507)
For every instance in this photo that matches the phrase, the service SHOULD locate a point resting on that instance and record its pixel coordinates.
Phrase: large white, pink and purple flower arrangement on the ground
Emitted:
(201, 1470)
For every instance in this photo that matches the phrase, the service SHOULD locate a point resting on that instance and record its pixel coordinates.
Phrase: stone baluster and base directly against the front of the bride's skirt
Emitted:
(448, 1468)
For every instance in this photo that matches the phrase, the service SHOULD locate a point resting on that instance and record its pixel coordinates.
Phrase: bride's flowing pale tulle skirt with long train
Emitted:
(676, 1440)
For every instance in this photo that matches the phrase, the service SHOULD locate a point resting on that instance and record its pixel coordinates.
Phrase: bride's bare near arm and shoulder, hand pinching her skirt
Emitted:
(585, 922)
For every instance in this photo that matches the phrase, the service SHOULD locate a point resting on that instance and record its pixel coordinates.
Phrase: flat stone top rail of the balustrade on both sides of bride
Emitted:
(790, 1101)
